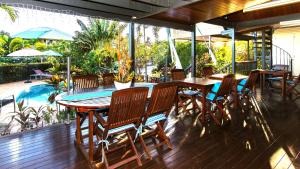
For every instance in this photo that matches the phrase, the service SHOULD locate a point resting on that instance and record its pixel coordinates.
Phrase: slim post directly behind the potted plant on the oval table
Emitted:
(131, 47)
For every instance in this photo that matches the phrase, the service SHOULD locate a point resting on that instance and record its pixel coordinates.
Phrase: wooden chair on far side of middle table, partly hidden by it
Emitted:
(186, 97)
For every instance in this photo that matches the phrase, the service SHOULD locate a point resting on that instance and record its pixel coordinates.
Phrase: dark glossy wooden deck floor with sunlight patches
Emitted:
(268, 138)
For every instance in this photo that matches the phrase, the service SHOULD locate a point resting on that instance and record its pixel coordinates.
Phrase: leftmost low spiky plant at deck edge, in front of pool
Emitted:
(22, 115)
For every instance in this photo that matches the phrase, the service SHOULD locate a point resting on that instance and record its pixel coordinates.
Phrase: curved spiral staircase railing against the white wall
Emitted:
(281, 59)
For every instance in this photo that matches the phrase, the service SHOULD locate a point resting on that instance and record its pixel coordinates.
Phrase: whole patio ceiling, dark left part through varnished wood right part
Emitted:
(178, 14)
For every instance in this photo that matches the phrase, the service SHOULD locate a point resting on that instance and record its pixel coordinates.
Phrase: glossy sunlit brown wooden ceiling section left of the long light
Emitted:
(205, 10)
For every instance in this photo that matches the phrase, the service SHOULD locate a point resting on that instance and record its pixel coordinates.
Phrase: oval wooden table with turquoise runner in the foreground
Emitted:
(88, 102)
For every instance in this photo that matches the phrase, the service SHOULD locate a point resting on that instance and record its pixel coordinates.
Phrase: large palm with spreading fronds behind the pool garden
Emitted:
(98, 33)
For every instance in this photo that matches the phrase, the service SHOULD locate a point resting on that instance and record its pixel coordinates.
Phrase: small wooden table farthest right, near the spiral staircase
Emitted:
(278, 73)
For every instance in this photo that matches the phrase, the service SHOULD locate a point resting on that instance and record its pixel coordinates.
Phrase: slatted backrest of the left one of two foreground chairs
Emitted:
(127, 106)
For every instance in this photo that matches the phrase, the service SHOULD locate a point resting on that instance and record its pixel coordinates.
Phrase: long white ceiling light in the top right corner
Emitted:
(272, 4)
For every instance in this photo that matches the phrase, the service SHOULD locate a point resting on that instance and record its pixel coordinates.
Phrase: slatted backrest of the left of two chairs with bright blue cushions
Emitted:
(226, 85)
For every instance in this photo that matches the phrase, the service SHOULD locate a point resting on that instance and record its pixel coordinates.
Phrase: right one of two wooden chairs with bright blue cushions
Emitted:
(246, 87)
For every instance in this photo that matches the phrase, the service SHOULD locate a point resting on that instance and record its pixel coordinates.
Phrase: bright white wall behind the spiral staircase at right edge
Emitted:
(289, 40)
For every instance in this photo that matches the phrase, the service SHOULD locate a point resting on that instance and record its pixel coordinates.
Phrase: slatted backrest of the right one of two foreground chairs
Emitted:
(162, 98)
